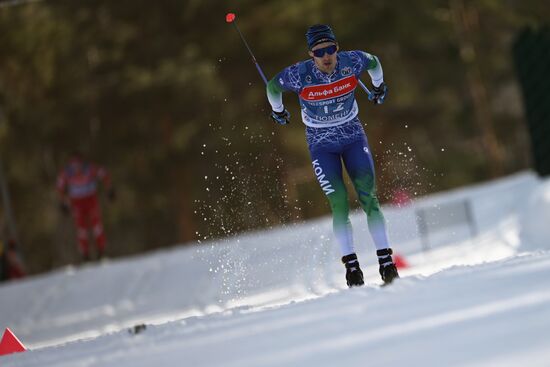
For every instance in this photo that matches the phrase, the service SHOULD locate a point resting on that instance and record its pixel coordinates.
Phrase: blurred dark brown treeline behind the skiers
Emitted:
(164, 94)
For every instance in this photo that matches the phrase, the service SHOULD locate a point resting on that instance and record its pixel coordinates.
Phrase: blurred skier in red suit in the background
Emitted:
(77, 185)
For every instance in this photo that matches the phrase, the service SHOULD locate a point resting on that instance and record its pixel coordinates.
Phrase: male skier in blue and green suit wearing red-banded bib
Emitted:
(325, 85)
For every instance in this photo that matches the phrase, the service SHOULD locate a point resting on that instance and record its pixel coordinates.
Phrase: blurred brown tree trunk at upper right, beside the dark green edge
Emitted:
(466, 24)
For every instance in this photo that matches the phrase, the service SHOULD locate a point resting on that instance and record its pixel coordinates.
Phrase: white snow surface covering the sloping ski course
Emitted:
(278, 298)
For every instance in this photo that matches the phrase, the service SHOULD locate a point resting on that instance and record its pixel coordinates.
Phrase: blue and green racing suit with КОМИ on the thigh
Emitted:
(334, 135)
